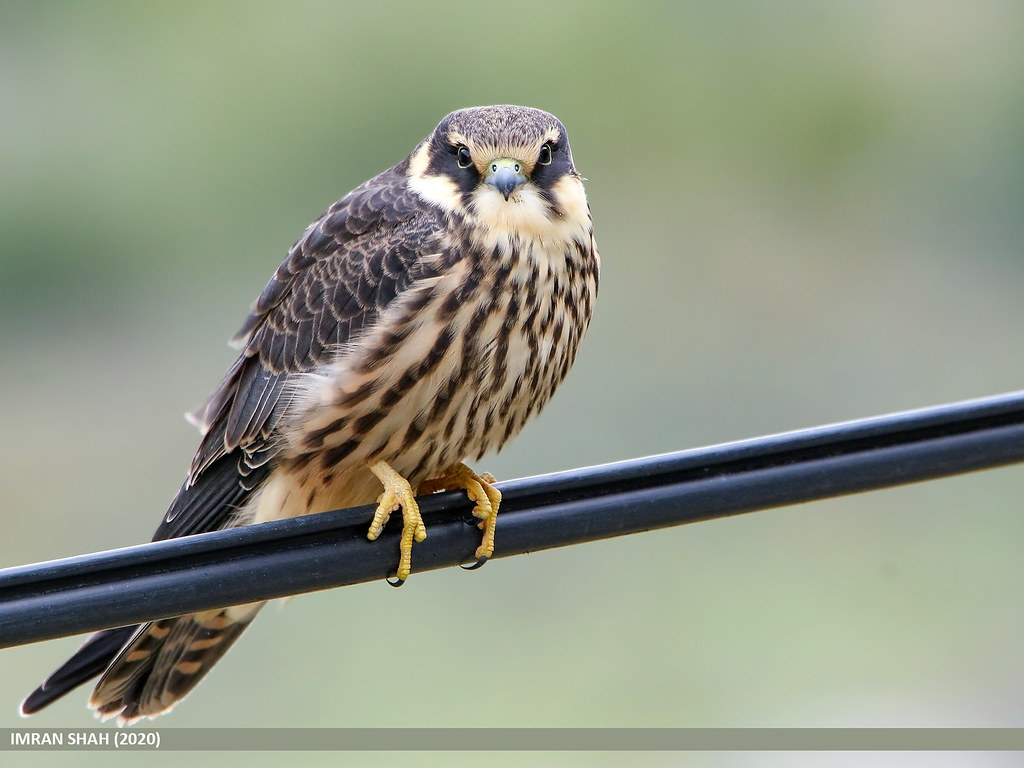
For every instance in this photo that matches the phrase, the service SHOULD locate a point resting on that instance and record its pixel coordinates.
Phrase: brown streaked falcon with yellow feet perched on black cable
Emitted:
(419, 323)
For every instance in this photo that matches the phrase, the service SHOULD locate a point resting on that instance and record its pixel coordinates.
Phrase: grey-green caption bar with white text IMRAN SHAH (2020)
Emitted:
(509, 740)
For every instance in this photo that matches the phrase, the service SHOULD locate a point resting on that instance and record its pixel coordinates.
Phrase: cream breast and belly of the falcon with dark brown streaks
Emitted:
(456, 366)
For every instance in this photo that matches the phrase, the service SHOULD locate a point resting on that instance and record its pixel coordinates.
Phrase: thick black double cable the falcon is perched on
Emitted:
(258, 563)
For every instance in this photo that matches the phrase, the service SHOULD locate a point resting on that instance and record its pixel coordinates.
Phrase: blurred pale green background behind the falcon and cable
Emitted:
(807, 212)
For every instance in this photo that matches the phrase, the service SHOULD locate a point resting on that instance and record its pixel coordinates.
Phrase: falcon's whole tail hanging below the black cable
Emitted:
(151, 668)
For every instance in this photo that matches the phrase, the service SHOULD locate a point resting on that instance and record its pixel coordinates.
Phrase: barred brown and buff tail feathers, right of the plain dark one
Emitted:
(165, 660)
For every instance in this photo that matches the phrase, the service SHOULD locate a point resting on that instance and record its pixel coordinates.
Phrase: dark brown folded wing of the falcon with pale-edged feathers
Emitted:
(338, 278)
